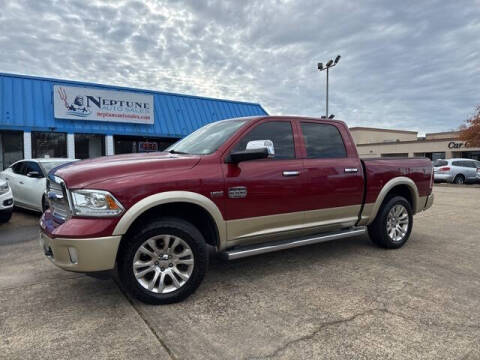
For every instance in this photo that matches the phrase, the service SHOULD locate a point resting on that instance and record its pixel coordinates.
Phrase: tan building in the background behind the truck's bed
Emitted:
(374, 142)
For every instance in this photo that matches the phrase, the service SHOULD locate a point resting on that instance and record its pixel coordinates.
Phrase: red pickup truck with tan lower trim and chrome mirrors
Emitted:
(243, 186)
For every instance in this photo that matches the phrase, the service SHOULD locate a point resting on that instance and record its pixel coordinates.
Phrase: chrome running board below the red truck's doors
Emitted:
(240, 252)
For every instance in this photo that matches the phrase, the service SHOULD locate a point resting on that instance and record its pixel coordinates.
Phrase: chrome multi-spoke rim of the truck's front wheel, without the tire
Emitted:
(163, 263)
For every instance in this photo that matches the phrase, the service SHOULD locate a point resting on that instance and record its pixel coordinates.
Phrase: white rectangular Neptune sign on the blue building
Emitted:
(80, 103)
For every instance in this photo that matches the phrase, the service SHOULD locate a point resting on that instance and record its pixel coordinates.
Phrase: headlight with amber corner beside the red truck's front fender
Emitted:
(95, 203)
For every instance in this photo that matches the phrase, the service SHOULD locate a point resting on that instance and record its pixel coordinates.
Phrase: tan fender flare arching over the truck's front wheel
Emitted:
(171, 197)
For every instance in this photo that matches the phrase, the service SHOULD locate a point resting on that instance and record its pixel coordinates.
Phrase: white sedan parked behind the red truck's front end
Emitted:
(27, 179)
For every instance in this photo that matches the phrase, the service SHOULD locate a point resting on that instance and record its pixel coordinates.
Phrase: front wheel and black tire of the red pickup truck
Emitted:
(164, 262)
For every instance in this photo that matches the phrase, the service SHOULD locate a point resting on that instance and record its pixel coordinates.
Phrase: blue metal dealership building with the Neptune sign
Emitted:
(42, 117)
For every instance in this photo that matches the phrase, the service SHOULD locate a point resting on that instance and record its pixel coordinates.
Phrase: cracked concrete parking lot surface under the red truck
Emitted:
(337, 300)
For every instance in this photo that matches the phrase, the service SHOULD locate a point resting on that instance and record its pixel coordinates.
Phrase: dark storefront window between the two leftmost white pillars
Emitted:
(49, 144)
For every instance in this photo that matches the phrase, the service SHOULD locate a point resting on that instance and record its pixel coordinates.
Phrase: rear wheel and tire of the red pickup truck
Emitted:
(393, 224)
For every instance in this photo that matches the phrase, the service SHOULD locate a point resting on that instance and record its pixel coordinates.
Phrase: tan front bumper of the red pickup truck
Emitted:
(81, 255)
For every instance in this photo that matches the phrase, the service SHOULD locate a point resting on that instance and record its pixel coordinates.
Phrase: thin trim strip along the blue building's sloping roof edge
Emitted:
(126, 88)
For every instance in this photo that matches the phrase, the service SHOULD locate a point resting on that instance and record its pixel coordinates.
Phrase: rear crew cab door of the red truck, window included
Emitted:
(334, 176)
